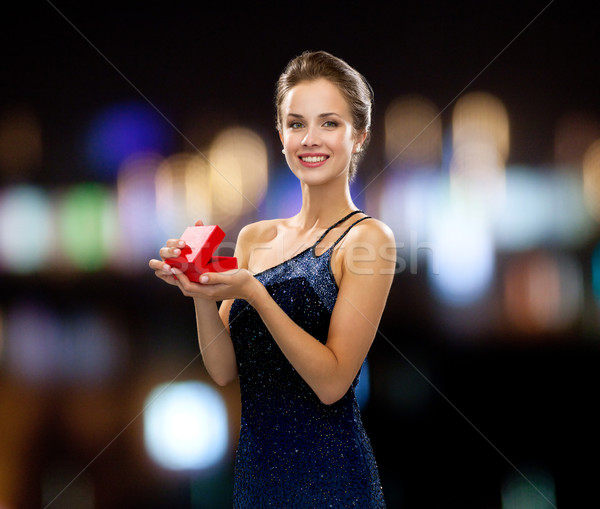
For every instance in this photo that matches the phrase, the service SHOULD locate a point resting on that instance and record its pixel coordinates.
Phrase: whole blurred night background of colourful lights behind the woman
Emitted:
(121, 124)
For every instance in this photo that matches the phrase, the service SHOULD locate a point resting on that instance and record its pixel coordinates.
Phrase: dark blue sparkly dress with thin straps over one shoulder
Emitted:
(294, 451)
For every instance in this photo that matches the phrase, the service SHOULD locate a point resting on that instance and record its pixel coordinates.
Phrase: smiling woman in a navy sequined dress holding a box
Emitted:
(298, 317)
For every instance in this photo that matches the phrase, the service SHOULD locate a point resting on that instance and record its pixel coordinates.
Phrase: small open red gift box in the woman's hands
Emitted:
(196, 257)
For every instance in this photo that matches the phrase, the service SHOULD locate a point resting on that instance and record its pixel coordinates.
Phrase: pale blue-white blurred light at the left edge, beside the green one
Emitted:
(26, 235)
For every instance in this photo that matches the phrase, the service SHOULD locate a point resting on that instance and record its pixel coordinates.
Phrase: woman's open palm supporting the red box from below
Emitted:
(219, 286)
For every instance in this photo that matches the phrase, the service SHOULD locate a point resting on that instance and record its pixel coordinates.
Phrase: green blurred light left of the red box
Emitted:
(87, 224)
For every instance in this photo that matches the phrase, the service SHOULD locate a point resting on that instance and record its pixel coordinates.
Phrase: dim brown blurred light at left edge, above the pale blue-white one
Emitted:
(20, 142)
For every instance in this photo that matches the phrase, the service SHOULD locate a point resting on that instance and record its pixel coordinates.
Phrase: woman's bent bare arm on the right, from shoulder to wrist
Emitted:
(369, 260)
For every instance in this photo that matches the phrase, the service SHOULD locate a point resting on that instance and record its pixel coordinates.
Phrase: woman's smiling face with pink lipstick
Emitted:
(317, 132)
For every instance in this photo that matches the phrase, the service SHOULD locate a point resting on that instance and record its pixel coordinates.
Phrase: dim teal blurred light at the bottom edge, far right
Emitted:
(531, 488)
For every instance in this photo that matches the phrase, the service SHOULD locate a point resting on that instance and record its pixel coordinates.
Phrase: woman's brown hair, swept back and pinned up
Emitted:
(312, 65)
